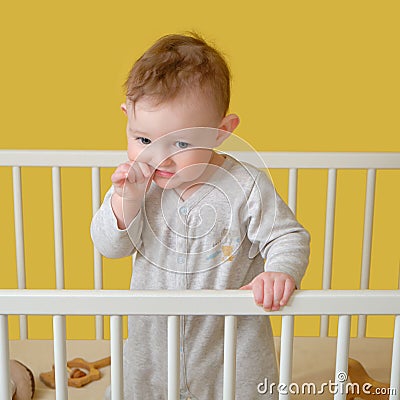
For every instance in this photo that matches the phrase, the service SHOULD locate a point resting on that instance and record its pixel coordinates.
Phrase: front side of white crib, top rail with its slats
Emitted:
(204, 302)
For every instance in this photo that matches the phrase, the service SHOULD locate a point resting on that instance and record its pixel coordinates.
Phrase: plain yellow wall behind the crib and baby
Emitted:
(307, 76)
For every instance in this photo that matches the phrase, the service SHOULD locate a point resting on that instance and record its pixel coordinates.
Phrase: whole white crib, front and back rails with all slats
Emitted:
(118, 303)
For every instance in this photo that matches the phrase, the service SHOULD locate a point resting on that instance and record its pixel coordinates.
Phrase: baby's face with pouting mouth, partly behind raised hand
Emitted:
(175, 138)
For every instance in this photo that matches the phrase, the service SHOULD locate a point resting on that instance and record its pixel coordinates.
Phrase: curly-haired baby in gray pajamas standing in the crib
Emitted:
(197, 219)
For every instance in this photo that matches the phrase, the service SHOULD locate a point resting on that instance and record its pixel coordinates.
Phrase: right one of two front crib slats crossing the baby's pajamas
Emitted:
(230, 339)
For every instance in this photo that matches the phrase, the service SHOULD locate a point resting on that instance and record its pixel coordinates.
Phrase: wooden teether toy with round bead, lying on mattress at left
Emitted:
(80, 372)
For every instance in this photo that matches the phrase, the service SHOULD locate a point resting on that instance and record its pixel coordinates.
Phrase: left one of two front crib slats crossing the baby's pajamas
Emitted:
(173, 357)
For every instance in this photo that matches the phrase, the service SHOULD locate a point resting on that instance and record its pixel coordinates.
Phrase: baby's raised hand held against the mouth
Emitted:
(130, 180)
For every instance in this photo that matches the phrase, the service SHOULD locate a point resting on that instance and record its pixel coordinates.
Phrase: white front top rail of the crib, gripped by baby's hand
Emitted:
(194, 302)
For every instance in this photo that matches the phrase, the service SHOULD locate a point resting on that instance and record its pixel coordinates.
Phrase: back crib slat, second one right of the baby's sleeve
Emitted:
(328, 246)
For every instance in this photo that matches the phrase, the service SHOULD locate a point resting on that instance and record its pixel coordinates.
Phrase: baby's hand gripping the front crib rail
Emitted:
(271, 289)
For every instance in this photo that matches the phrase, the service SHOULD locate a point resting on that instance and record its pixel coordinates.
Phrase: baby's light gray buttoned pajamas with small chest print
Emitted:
(219, 238)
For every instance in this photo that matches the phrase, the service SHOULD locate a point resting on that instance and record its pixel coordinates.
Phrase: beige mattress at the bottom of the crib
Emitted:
(313, 362)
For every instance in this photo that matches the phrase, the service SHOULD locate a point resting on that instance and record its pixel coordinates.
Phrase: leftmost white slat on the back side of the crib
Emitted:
(19, 244)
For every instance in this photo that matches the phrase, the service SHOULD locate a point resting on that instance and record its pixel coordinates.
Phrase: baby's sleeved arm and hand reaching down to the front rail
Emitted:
(282, 242)
